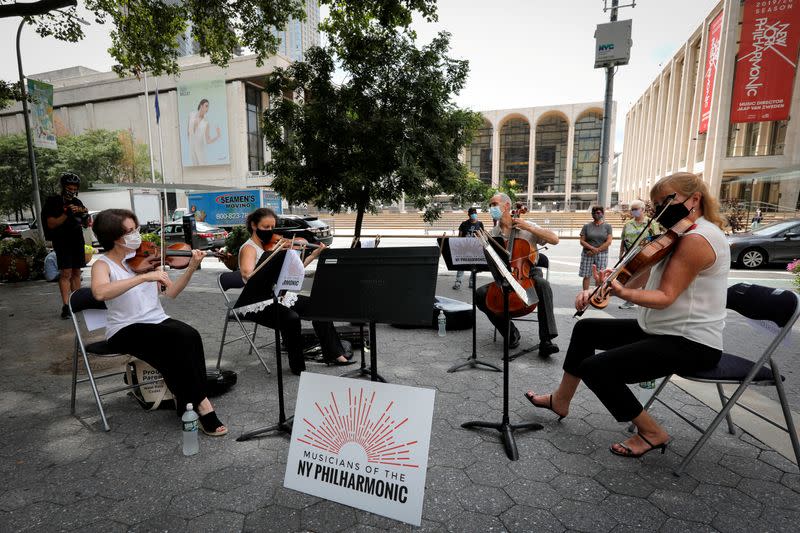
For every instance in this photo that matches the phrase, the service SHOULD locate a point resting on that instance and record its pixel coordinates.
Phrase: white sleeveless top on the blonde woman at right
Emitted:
(699, 312)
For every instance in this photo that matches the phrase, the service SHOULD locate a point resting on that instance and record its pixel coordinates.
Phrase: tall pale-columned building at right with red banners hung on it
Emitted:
(754, 162)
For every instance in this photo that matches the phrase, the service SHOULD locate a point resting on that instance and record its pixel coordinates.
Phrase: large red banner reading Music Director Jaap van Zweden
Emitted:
(767, 61)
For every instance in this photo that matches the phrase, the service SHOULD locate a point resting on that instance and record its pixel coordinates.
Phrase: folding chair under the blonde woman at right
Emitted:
(781, 307)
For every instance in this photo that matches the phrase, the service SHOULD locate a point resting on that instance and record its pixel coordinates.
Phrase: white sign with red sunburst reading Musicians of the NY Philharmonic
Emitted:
(362, 444)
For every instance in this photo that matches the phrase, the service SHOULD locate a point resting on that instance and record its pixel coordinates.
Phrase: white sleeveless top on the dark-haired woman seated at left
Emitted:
(139, 305)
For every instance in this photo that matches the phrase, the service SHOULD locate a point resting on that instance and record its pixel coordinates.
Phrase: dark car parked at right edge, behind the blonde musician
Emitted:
(776, 243)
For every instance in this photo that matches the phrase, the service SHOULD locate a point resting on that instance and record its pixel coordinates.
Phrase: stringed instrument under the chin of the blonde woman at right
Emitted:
(637, 263)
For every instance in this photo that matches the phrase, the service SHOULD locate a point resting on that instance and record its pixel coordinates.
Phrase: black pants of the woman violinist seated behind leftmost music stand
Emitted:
(289, 321)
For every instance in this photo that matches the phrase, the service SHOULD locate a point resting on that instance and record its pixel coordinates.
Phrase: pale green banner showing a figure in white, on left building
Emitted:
(203, 121)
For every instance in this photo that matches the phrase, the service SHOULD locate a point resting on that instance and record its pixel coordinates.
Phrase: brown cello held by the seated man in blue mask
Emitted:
(521, 263)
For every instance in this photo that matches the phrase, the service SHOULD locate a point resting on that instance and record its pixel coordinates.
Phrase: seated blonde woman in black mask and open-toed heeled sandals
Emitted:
(679, 327)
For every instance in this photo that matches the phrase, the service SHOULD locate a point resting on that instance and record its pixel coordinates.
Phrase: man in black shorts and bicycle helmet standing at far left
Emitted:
(64, 219)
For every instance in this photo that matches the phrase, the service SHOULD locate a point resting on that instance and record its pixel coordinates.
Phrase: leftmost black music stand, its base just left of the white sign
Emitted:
(263, 282)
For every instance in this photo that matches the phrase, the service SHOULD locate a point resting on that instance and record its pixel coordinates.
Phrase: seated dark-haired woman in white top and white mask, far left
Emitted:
(136, 322)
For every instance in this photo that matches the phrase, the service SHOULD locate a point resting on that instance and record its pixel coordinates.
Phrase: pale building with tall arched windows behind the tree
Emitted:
(551, 152)
